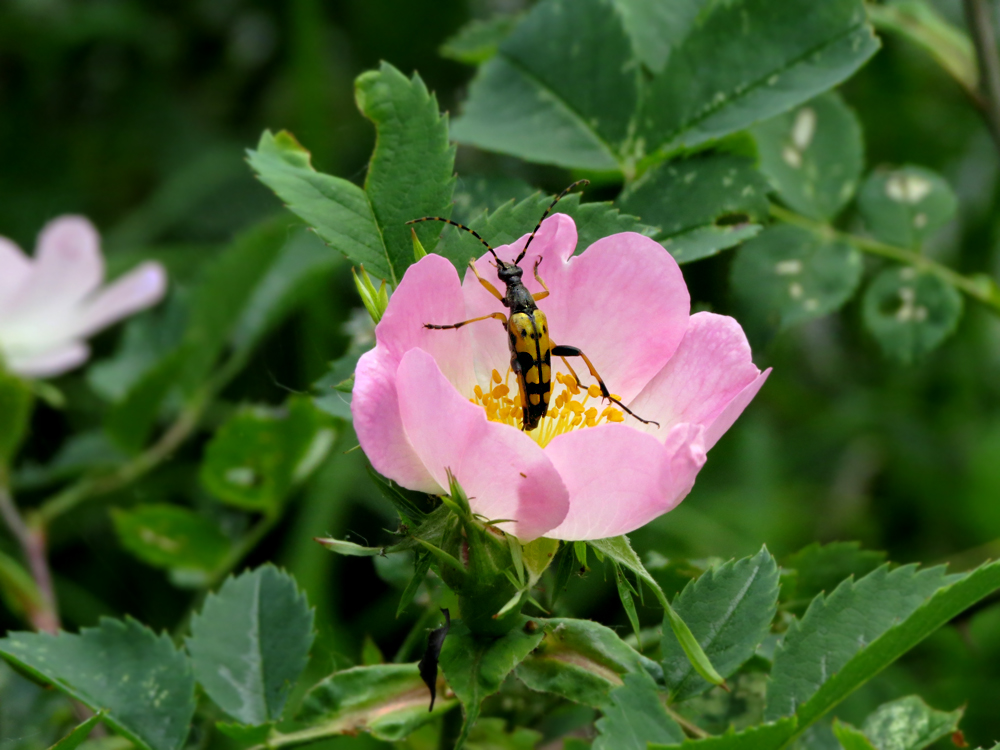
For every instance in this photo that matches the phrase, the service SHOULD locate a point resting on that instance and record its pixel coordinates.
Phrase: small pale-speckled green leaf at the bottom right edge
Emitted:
(909, 724)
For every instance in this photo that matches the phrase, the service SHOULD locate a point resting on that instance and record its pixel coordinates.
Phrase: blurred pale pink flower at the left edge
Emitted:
(51, 303)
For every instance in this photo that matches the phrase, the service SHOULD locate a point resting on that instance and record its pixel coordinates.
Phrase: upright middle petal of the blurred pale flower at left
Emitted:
(68, 266)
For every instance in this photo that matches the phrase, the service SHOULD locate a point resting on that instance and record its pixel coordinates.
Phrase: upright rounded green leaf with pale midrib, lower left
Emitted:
(250, 643)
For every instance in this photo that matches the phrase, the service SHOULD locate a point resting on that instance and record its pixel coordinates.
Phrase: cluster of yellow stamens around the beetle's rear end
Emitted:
(569, 409)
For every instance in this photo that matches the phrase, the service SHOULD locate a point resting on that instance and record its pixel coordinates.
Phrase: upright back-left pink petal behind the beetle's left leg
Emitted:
(430, 292)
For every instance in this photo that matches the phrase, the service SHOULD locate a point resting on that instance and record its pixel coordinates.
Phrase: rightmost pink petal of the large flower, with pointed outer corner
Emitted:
(709, 381)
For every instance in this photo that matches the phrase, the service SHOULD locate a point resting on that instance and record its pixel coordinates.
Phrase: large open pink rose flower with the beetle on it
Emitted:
(426, 401)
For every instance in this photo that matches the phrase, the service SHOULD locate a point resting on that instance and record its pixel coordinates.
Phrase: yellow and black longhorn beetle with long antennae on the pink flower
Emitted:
(531, 348)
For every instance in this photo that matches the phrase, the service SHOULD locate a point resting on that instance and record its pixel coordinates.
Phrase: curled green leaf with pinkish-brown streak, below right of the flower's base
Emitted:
(581, 661)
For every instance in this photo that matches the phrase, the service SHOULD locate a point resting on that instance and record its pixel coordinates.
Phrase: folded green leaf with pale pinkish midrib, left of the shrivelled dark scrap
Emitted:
(388, 700)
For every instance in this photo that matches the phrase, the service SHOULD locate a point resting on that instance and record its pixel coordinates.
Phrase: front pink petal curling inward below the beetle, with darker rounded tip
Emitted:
(504, 472)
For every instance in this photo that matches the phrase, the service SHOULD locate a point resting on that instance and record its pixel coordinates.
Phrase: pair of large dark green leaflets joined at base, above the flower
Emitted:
(544, 99)
